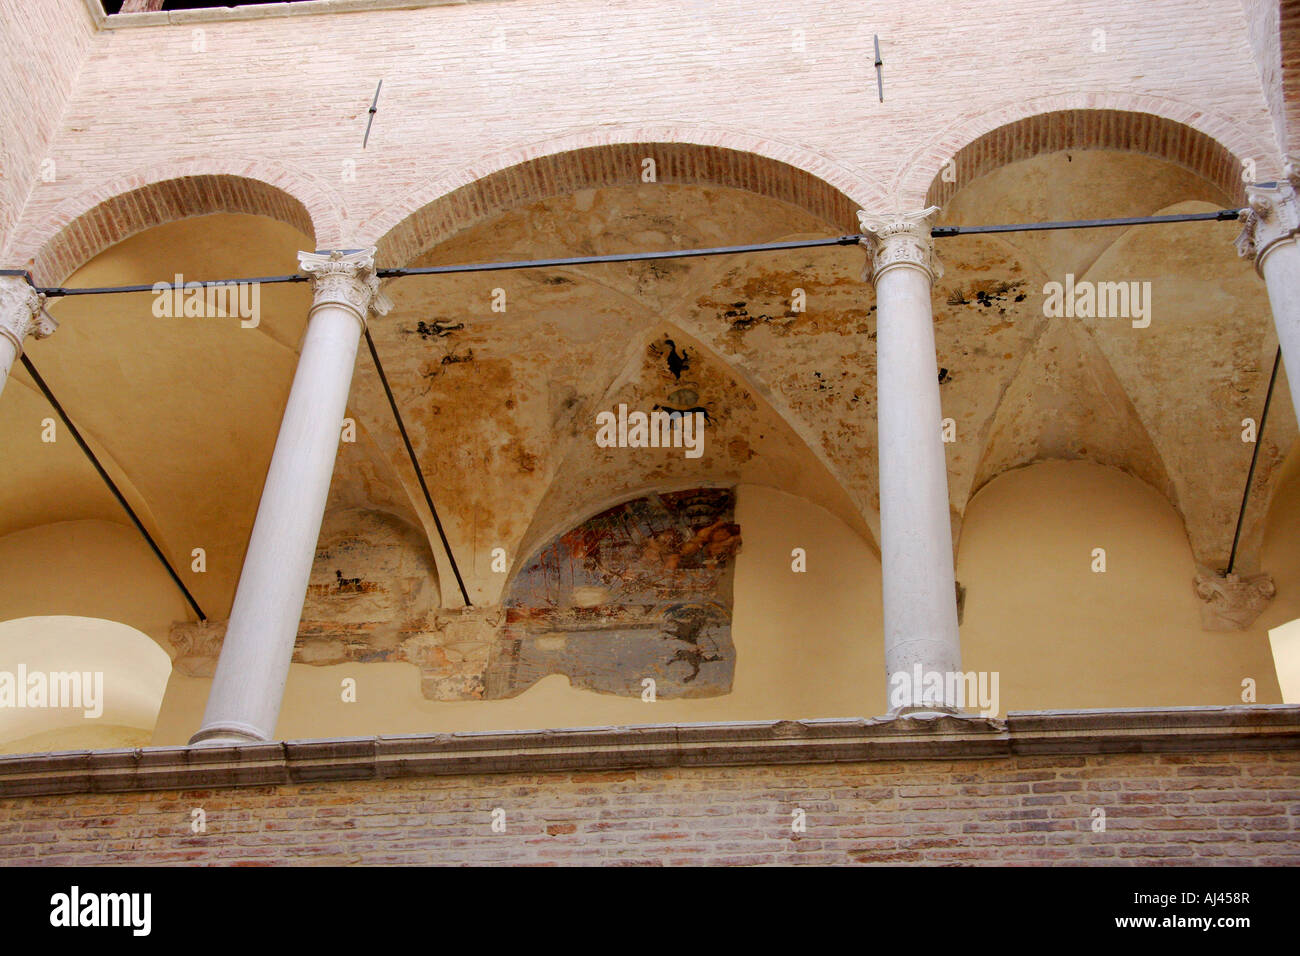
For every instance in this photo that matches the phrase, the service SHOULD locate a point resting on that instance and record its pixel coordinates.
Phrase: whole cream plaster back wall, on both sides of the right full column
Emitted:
(809, 646)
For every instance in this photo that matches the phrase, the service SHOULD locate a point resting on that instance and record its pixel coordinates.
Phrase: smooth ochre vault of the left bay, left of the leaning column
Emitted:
(183, 410)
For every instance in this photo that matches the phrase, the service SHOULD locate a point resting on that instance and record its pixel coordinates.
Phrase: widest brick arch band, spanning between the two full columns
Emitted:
(591, 161)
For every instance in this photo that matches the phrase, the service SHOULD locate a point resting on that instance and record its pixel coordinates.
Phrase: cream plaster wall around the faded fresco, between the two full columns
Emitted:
(808, 646)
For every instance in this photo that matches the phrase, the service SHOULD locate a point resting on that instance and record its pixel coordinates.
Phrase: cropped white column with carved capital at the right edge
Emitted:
(1269, 239)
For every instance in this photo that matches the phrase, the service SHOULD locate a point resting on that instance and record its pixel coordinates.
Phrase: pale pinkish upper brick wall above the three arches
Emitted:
(473, 89)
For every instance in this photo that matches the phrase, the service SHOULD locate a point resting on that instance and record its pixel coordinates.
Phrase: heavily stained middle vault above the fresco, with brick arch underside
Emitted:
(499, 375)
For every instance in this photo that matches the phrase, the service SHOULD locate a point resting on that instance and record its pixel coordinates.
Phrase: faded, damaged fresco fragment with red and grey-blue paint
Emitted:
(640, 591)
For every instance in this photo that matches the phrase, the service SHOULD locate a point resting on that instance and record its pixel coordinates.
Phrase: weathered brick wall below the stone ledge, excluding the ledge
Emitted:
(1212, 808)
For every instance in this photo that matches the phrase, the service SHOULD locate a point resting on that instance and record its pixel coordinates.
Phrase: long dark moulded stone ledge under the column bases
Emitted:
(1150, 730)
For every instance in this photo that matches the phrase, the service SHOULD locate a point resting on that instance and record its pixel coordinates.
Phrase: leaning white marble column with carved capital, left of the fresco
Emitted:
(259, 646)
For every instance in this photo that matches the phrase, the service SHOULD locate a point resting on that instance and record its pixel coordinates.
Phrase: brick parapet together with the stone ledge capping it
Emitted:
(1217, 786)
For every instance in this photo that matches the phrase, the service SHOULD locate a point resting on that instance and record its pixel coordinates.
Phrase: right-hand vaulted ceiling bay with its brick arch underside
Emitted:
(1160, 387)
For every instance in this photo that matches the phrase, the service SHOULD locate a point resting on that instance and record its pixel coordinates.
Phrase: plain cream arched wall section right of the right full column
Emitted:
(1064, 635)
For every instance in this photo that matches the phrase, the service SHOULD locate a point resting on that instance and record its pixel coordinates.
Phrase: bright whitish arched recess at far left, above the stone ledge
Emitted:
(79, 684)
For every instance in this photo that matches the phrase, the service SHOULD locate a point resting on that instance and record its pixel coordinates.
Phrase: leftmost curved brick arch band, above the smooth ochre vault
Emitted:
(84, 227)
